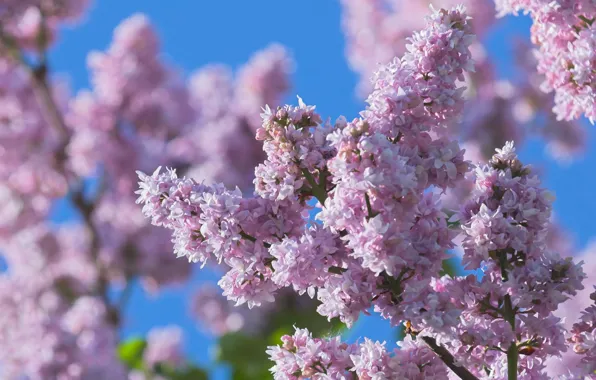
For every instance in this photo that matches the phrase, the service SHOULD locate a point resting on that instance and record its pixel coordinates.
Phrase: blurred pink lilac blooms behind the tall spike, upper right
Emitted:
(497, 110)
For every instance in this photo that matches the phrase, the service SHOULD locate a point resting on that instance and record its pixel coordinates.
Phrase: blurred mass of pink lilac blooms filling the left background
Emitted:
(58, 320)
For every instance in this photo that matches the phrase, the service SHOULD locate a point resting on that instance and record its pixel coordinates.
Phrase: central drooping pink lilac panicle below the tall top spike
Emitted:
(393, 229)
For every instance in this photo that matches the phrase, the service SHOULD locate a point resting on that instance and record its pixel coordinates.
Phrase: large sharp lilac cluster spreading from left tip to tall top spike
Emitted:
(211, 221)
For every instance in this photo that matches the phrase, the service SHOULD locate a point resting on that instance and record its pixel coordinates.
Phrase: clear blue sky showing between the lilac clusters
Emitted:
(195, 33)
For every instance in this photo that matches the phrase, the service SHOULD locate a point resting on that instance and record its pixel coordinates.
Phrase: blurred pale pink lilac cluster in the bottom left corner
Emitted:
(53, 327)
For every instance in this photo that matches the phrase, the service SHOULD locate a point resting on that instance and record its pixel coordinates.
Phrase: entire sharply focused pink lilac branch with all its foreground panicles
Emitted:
(383, 233)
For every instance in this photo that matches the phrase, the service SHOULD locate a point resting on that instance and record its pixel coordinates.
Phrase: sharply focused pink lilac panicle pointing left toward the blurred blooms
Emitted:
(211, 221)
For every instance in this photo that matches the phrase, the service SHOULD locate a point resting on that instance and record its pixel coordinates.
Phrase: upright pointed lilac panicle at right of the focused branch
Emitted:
(509, 210)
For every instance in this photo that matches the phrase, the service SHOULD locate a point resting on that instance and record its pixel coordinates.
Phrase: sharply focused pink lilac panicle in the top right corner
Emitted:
(565, 34)
